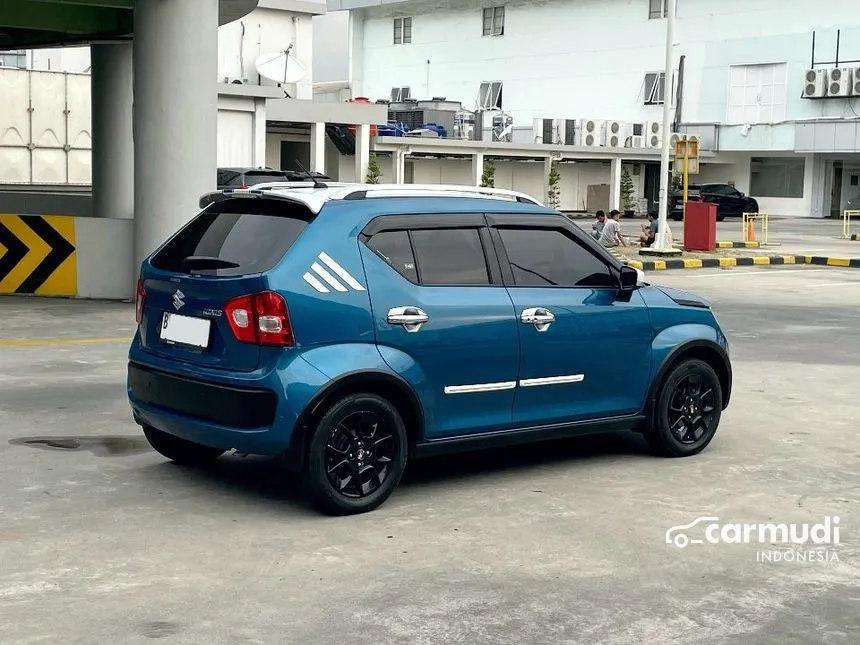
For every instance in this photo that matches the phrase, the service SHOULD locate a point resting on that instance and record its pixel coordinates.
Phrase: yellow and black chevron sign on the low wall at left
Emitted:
(38, 255)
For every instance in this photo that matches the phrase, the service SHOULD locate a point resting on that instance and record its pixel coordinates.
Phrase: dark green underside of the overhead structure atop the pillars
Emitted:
(28, 24)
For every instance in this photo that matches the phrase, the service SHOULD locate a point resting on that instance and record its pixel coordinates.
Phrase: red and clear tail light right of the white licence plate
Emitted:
(260, 318)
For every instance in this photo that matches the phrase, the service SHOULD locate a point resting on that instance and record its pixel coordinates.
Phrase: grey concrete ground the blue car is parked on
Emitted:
(102, 541)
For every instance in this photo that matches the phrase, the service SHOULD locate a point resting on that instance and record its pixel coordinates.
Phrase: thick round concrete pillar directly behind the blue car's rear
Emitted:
(175, 115)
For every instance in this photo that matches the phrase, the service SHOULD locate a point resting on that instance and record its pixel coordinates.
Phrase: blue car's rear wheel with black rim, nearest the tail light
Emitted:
(356, 455)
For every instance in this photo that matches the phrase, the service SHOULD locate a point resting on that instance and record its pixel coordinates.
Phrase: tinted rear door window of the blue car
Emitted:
(450, 256)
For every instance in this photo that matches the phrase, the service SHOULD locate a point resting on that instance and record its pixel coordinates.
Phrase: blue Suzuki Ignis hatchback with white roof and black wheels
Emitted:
(349, 329)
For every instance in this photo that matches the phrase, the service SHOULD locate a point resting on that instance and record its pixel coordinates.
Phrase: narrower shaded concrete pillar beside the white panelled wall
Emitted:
(113, 142)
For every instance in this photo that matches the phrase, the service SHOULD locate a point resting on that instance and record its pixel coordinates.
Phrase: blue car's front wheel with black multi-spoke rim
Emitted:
(686, 411)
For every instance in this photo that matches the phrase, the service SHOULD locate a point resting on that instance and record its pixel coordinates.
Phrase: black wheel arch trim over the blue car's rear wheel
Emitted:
(370, 381)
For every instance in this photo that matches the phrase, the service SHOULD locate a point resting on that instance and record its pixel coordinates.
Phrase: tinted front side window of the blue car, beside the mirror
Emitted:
(548, 257)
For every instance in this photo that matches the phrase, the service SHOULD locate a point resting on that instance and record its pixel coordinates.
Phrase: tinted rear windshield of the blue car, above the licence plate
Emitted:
(252, 234)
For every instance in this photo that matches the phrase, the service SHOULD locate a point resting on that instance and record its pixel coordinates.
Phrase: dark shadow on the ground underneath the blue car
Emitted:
(265, 480)
